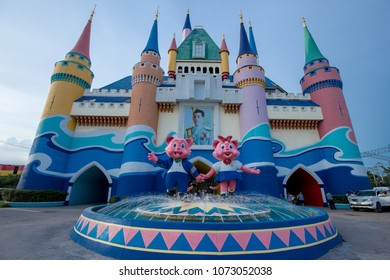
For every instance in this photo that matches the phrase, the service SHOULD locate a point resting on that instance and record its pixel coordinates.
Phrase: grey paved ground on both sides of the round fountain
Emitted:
(43, 234)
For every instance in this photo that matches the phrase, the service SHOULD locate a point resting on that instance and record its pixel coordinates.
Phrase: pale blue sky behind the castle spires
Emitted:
(353, 35)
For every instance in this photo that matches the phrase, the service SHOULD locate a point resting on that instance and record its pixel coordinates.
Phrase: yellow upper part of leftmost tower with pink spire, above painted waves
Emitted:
(70, 78)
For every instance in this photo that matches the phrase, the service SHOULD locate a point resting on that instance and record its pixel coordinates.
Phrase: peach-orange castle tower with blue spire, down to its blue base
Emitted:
(143, 118)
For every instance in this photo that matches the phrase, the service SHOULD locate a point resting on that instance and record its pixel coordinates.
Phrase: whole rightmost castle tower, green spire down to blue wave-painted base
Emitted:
(323, 83)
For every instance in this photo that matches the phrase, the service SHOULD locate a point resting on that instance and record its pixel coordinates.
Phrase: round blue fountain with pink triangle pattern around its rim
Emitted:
(245, 226)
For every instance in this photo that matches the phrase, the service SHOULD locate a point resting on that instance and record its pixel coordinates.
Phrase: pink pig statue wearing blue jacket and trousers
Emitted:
(178, 165)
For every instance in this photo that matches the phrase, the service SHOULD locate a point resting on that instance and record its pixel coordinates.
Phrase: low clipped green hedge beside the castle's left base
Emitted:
(13, 195)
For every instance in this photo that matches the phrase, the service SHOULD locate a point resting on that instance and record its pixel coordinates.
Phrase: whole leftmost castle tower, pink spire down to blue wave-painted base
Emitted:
(69, 80)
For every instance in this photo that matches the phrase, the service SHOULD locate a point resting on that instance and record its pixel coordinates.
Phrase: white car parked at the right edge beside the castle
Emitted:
(374, 199)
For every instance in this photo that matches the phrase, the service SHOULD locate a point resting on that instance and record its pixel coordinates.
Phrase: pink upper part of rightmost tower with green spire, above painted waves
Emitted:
(324, 84)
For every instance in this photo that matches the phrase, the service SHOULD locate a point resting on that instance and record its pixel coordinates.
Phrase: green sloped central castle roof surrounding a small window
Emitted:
(198, 35)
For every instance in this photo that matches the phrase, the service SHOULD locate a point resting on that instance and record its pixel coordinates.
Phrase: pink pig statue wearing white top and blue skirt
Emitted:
(226, 151)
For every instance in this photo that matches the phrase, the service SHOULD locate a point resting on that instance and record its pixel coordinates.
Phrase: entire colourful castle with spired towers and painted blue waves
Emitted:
(93, 143)
